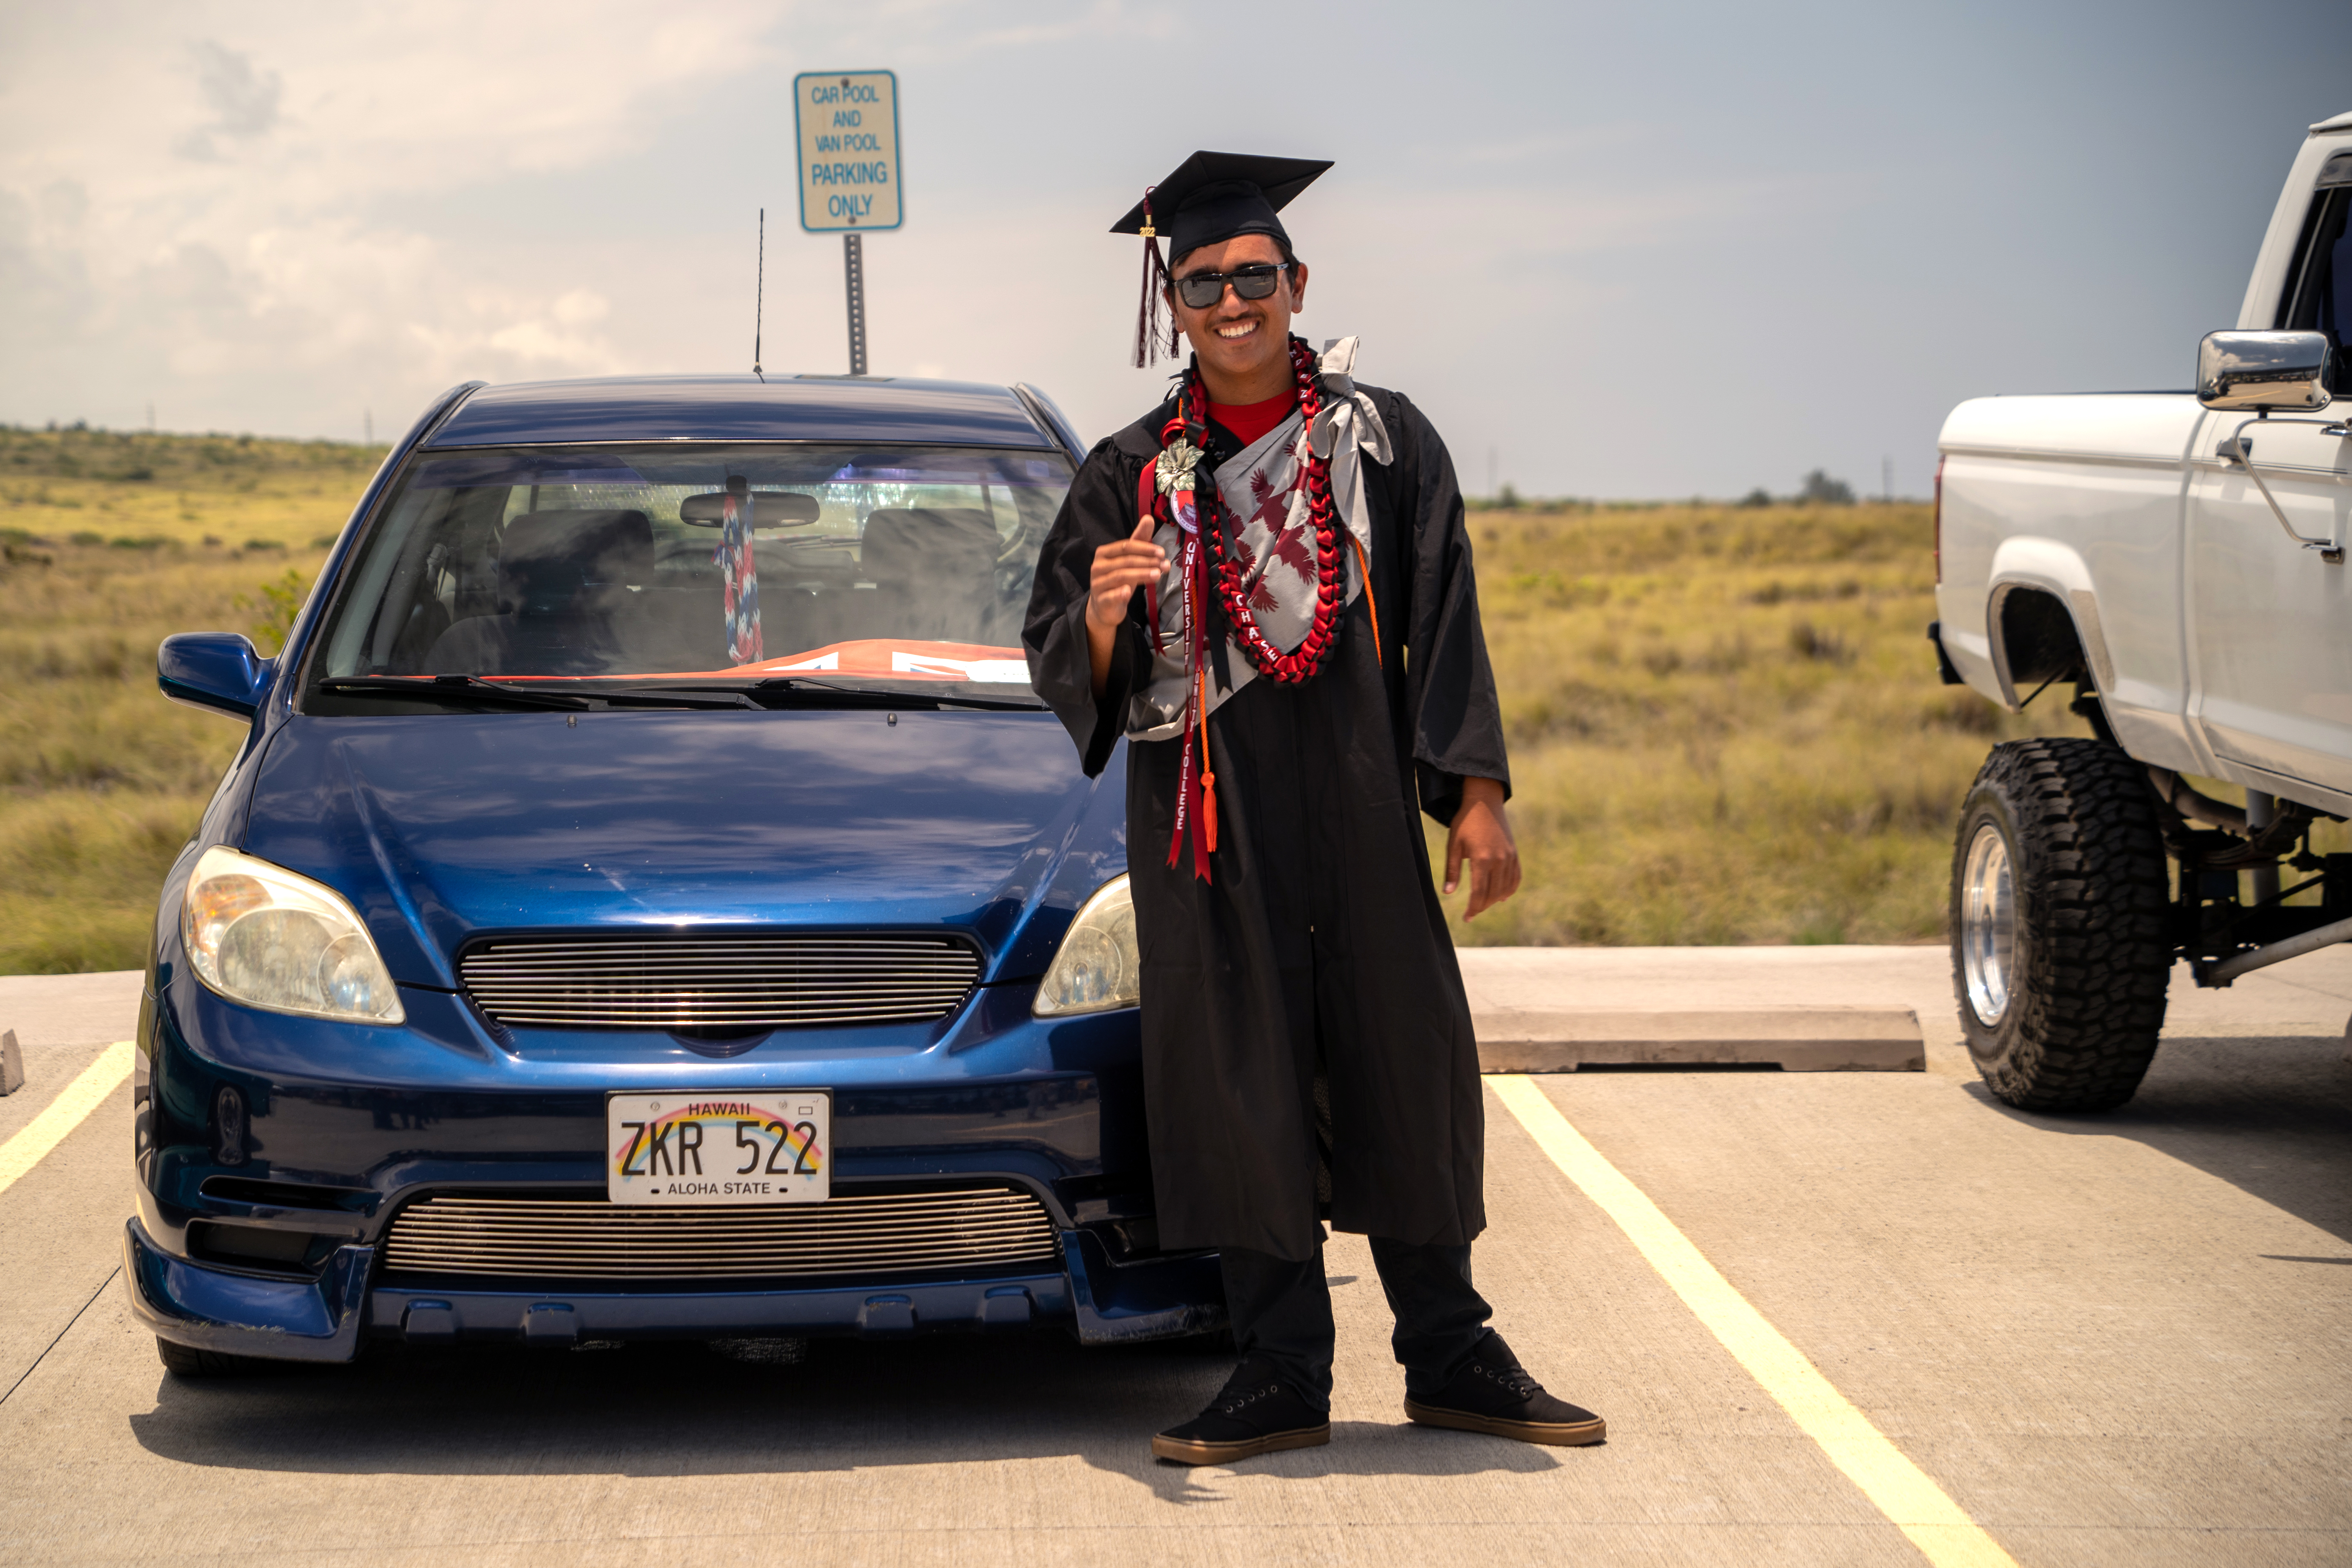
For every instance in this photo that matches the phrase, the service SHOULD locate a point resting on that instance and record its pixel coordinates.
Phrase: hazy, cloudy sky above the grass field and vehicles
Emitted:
(1669, 250)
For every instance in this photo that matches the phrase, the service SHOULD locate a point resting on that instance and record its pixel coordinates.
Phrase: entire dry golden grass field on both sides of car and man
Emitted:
(1725, 721)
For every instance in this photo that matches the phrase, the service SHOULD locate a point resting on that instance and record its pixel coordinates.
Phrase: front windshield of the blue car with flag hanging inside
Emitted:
(686, 563)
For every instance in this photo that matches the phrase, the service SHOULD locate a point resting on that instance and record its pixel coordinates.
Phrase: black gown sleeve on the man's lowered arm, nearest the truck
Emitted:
(1455, 716)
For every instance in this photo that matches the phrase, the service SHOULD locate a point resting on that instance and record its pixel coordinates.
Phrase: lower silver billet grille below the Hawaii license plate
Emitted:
(975, 1228)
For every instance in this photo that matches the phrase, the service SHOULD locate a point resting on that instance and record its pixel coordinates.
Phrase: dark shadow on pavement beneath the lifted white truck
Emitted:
(2269, 1115)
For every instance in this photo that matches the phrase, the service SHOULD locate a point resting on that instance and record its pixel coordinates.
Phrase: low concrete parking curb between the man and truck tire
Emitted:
(1789, 1038)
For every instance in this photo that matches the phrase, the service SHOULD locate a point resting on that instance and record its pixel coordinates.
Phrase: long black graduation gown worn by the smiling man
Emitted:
(1318, 958)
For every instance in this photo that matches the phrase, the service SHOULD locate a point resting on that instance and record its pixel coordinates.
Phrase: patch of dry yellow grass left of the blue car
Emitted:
(109, 544)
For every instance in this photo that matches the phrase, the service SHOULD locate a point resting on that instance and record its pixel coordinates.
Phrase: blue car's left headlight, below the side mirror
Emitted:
(269, 939)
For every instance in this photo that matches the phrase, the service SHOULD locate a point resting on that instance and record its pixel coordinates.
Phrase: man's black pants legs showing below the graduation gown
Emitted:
(1283, 1313)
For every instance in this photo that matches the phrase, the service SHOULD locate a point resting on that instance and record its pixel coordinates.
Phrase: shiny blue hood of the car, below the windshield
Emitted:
(448, 826)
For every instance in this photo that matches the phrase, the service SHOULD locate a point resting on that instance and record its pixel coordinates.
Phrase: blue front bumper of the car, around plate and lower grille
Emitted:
(269, 1130)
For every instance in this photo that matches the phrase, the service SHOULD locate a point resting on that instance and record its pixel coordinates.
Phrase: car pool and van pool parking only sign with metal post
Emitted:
(848, 130)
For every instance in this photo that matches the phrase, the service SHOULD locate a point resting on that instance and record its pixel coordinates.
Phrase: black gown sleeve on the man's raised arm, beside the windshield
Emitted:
(1055, 634)
